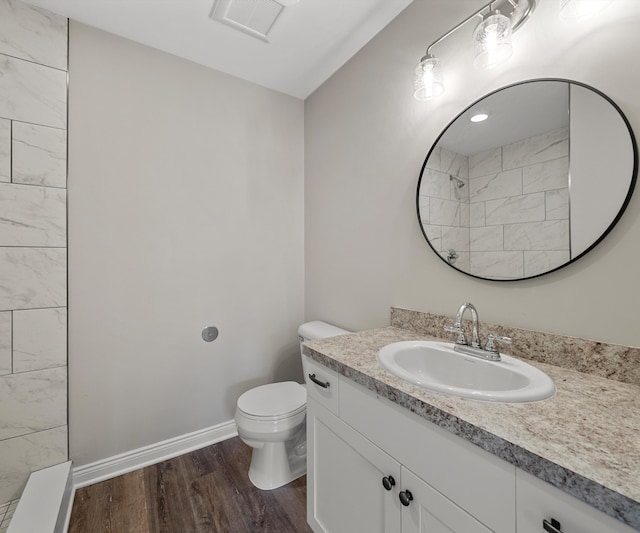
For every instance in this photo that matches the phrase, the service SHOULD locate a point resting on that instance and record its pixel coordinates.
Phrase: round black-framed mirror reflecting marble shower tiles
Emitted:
(527, 180)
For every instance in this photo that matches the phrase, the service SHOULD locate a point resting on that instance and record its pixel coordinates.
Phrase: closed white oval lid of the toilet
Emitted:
(273, 399)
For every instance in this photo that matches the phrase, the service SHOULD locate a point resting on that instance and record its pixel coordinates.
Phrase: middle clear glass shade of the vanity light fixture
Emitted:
(492, 41)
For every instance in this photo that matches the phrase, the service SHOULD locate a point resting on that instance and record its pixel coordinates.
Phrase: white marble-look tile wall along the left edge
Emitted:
(33, 240)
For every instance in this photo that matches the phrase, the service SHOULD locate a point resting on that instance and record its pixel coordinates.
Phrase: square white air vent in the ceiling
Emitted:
(254, 17)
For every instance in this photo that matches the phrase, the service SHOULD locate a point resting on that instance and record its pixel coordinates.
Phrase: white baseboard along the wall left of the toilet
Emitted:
(152, 454)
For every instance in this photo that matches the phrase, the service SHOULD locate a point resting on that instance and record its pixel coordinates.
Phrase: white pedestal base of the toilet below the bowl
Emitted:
(272, 466)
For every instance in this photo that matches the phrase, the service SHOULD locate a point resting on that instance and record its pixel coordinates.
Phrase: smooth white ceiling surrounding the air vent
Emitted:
(309, 41)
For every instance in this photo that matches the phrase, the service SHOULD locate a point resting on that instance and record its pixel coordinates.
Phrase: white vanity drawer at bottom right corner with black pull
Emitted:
(538, 501)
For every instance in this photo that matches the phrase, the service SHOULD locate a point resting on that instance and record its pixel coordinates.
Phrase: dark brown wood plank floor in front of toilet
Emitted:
(203, 491)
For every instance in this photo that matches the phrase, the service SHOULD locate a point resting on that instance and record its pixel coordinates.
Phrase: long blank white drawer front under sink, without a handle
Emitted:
(476, 480)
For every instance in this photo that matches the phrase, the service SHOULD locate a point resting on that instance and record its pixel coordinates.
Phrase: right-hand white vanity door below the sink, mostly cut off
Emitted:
(430, 512)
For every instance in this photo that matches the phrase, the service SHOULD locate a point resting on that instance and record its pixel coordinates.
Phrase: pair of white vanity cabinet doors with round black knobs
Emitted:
(354, 486)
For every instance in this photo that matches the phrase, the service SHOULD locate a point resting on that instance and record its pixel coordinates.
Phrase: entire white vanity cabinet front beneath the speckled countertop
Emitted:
(357, 439)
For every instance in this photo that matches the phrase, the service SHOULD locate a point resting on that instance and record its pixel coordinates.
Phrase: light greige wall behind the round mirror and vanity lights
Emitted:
(365, 141)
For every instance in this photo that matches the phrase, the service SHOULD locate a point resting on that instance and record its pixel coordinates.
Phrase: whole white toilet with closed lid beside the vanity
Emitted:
(271, 419)
